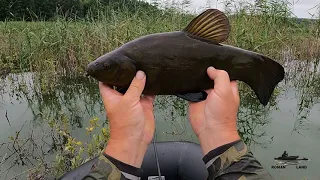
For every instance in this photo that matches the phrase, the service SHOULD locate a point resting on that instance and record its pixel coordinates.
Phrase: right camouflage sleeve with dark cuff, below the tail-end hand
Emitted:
(234, 162)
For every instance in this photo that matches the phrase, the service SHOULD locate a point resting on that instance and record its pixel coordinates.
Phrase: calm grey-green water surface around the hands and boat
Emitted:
(290, 122)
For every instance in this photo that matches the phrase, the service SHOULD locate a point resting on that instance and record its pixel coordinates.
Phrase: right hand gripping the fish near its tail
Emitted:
(214, 120)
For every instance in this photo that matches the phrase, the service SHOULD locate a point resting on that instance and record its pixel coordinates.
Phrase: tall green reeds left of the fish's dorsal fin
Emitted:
(66, 46)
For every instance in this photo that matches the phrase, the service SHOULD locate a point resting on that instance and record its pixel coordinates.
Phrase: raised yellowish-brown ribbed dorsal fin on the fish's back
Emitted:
(211, 25)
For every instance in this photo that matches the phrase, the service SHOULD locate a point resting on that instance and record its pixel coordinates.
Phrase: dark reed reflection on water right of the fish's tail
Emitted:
(304, 78)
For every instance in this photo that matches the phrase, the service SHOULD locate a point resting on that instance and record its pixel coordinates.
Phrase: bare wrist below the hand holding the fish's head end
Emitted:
(127, 151)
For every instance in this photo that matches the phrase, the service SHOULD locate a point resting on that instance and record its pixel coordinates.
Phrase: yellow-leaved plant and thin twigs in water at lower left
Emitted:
(30, 151)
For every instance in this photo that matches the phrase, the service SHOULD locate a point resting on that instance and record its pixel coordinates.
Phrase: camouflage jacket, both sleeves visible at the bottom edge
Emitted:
(230, 161)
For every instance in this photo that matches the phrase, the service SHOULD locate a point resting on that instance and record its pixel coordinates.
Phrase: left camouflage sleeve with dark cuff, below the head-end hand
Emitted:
(109, 168)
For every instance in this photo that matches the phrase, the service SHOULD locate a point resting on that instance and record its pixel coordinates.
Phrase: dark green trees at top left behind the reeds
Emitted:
(39, 10)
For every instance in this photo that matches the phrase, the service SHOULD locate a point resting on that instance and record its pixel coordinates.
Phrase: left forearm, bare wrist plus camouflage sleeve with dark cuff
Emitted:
(120, 160)
